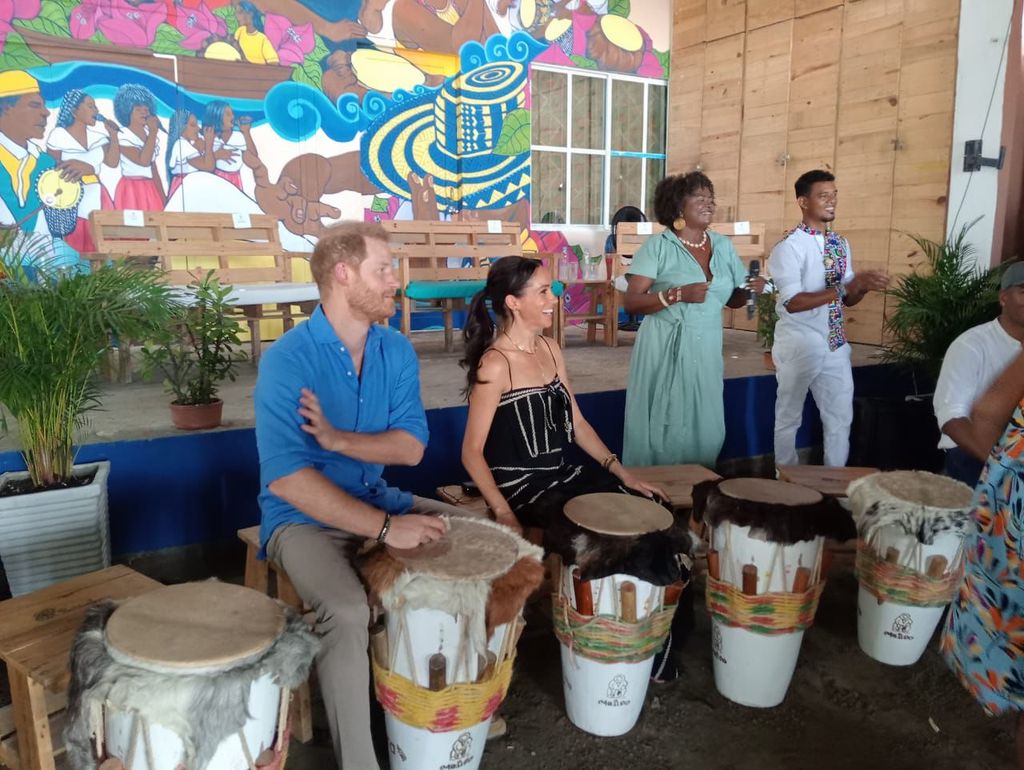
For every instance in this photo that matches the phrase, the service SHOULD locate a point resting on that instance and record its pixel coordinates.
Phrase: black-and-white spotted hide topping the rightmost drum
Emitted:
(923, 505)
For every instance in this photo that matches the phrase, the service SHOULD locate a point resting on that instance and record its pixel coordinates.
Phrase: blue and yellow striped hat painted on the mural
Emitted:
(451, 135)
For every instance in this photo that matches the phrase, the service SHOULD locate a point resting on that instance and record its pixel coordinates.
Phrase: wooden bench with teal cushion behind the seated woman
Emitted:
(423, 249)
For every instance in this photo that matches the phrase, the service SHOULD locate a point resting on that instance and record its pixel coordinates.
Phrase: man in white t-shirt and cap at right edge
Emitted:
(972, 363)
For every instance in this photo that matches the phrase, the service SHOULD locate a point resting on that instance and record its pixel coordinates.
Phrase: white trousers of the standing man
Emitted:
(808, 365)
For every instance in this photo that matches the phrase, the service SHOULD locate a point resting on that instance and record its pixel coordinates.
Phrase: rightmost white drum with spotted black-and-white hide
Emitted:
(914, 521)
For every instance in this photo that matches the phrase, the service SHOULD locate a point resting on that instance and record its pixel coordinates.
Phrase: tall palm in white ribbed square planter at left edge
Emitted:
(56, 326)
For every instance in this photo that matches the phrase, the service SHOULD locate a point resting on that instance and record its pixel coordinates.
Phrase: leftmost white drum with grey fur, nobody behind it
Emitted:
(193, 678)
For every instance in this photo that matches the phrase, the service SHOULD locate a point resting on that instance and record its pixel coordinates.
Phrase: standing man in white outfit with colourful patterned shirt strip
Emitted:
(814, 273)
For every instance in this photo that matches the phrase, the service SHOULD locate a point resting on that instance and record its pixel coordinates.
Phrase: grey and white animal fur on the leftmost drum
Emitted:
(201, 709)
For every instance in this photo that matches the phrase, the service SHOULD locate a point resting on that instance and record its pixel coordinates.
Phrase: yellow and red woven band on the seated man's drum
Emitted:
(456, 708)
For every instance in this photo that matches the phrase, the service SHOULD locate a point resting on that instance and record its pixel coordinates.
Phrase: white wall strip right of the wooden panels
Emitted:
(984, 28)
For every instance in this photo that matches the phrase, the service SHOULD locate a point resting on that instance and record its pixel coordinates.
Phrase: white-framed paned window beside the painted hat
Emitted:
(599, 145)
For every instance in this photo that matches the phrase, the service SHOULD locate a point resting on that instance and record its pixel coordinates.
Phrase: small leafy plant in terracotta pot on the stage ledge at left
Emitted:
(197, 353)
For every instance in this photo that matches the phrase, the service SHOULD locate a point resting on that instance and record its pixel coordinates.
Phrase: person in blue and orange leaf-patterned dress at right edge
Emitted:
(984, 641)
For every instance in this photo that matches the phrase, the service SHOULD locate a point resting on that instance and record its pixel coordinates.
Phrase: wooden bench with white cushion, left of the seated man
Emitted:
(186, 246)
